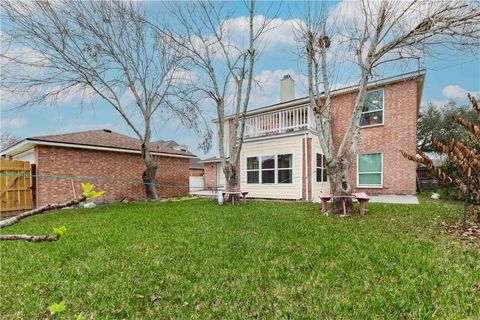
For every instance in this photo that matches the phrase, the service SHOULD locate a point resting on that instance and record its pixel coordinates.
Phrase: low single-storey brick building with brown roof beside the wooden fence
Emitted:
(112, 160)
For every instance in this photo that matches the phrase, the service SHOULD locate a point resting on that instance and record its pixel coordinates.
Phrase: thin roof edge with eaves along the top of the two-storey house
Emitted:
(420, 75)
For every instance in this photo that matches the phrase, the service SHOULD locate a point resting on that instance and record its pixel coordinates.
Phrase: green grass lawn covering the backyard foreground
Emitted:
(196, 259)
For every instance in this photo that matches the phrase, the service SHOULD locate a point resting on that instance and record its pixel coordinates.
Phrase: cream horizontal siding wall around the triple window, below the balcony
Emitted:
(286, 145)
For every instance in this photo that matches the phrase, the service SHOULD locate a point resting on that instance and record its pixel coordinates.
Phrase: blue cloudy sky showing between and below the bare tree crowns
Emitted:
(447, 78)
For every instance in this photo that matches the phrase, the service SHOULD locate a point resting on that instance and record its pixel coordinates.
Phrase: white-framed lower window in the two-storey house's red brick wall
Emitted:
(369, 170)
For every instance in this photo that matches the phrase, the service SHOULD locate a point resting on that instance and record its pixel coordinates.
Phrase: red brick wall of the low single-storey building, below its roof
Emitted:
(171, 172)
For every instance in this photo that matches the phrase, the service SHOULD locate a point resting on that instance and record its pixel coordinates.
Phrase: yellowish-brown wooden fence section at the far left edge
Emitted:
(15, 186)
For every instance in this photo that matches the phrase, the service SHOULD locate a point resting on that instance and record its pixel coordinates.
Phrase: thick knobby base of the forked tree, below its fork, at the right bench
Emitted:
(340, 185)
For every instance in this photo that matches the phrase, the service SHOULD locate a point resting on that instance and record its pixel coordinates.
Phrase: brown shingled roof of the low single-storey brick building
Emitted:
(95, 139)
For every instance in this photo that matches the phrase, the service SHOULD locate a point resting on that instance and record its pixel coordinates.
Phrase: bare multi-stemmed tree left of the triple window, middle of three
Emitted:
(223, 67)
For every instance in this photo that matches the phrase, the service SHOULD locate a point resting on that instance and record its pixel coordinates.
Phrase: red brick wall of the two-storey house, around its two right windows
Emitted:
(397, 133)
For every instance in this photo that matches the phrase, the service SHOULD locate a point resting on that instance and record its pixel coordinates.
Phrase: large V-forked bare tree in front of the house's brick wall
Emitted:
(376, 34)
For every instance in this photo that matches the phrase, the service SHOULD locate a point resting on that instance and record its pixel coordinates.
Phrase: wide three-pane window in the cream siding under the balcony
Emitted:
(270, 169)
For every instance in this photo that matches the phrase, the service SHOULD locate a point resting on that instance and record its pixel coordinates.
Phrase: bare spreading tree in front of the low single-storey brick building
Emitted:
(103, 50)
